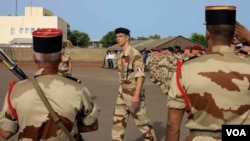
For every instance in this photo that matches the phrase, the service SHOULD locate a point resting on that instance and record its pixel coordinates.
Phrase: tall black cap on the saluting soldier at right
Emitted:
(216, 15)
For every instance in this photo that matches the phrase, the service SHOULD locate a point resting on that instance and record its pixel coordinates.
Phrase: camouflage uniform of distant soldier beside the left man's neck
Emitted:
(63, 68)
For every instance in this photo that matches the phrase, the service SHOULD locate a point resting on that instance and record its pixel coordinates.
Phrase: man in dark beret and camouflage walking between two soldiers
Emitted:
(131, 98)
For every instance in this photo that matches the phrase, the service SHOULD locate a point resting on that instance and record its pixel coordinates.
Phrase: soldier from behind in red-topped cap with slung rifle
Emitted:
(25, 112)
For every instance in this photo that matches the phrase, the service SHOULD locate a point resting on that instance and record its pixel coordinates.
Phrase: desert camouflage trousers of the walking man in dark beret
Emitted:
(122, 112)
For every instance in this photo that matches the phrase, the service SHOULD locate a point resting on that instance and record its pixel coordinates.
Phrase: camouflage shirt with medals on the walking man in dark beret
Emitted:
(130, 66)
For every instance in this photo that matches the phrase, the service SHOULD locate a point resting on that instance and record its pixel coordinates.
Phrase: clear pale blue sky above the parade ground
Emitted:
(142, 17)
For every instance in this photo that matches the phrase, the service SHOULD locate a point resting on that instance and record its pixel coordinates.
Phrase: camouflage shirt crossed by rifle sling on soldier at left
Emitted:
(68, 99)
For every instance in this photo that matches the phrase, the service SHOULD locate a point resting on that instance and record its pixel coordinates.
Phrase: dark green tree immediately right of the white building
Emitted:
(79, 39)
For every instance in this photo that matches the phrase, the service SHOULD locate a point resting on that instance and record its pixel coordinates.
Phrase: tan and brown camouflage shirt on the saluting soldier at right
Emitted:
(221, 80)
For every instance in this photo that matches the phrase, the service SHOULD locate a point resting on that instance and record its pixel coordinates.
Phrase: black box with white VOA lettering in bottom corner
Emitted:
(235, 132)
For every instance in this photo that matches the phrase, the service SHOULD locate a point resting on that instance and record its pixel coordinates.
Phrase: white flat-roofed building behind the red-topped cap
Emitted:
(16, 30)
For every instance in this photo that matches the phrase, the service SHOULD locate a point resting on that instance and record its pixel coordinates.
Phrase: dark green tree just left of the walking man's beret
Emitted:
(109, 39)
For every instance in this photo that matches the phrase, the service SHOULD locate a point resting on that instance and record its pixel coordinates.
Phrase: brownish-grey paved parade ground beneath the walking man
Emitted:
(103, 84)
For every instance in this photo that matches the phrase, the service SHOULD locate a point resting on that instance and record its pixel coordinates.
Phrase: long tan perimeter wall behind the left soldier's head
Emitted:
(77, 54)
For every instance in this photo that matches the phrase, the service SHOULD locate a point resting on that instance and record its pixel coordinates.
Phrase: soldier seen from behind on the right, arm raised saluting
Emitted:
(220, 79)
